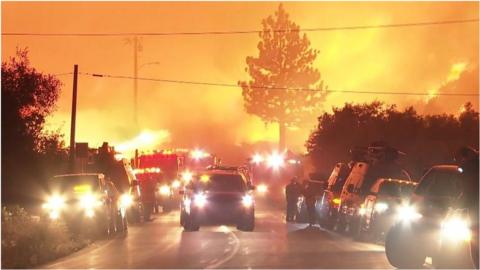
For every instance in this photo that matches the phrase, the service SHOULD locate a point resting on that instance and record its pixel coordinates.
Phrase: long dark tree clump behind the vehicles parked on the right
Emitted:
(426, 139)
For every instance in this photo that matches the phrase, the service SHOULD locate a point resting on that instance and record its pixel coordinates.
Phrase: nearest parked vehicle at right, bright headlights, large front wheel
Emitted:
(430, 223)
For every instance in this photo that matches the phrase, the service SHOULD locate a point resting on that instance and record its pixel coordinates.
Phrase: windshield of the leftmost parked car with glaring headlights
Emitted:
(75, 183)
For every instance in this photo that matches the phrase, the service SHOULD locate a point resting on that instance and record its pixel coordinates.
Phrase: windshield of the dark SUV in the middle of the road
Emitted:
(223, 183)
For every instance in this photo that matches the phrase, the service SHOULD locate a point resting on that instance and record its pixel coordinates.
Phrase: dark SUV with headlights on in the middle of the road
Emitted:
(220, 197)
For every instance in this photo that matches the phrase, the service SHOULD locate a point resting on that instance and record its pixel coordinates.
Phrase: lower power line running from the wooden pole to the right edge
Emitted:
(230, 85)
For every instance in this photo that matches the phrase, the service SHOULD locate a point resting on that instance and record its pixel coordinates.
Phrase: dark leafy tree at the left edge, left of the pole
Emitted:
(28, 97)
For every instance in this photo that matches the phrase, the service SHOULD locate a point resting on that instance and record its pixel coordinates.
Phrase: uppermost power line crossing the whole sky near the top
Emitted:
(315, 29)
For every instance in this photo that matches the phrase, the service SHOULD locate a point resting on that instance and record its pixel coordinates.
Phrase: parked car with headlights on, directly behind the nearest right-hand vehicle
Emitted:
(377, 214)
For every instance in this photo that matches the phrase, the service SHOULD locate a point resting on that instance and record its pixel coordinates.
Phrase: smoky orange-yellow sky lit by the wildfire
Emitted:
(415, 59)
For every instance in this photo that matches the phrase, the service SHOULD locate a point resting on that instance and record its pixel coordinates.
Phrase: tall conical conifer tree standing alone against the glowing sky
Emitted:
(284, 65)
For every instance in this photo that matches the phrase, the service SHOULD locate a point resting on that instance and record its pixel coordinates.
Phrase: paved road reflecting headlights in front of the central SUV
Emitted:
(274, 244)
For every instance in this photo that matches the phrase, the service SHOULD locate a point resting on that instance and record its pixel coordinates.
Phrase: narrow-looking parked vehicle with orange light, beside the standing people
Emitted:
(330, 199)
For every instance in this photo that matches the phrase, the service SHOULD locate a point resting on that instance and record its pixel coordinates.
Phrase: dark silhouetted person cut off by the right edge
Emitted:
(467, 159)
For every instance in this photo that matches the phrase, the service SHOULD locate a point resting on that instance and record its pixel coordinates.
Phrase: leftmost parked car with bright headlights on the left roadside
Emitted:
(86, 201)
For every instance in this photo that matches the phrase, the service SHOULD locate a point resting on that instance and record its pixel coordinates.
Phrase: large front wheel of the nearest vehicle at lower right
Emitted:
(398, 248)
